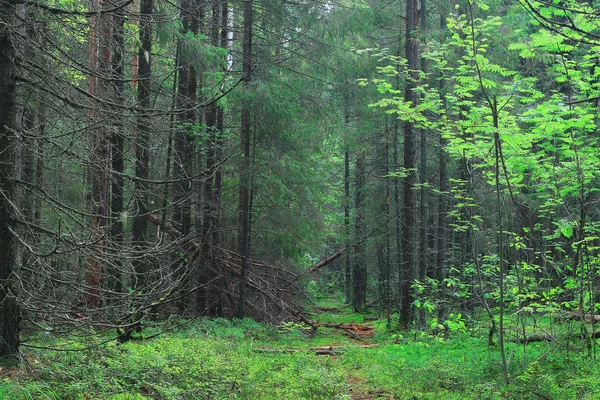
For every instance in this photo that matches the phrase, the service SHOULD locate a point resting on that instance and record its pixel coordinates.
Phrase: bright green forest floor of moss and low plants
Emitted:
(349, 356)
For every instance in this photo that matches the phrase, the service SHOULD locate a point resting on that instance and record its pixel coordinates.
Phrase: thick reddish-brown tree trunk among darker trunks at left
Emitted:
(101, 65)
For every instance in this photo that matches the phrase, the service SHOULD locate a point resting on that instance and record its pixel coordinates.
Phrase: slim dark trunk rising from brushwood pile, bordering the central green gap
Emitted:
(244, 191)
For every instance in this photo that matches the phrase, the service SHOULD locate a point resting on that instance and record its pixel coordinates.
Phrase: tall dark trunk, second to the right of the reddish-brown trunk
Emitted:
(142, 145)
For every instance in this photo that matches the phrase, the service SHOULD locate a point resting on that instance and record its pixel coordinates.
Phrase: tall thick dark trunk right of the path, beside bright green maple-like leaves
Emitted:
(410, 132)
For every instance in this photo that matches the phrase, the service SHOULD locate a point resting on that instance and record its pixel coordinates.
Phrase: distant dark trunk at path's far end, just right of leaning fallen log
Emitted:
(359, 284)
